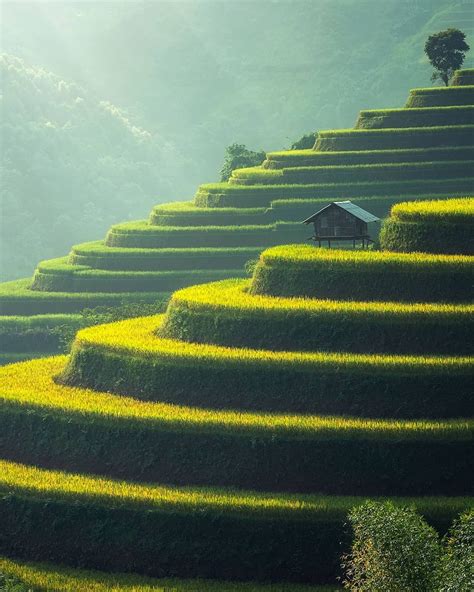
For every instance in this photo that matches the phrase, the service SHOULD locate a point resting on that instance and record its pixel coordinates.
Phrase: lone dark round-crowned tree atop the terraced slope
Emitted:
(446, 51)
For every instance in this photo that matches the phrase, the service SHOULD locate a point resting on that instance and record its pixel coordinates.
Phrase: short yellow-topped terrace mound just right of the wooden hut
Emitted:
(433, 226)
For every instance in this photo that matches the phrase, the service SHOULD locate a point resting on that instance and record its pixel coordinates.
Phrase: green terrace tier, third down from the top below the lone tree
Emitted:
(415, 117)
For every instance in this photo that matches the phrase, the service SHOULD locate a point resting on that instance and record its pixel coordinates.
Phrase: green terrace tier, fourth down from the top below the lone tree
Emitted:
(390, 139)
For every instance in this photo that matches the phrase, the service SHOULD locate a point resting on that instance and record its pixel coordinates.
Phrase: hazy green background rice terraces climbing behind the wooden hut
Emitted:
(424, 150)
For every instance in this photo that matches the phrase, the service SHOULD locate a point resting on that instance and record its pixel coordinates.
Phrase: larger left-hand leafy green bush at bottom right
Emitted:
(394, 550)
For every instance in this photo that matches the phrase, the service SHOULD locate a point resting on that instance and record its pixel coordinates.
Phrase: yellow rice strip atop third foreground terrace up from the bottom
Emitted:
(31, 385)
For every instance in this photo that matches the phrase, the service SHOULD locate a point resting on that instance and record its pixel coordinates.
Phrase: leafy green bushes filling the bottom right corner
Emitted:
(394, 550)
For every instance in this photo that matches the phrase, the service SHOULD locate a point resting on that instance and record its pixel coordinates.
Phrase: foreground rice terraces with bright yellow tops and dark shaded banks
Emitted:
(221, 445)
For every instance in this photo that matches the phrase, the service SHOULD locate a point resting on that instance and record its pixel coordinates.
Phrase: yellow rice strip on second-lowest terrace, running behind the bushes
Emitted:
(59, 484)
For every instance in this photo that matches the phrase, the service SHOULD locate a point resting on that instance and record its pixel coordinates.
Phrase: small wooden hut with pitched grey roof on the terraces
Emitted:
(341, 221)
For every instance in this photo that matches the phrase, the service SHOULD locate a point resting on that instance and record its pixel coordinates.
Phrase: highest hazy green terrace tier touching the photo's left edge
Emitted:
(16, 298)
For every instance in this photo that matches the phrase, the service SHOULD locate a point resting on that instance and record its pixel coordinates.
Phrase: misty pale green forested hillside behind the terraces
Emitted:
(112, 107)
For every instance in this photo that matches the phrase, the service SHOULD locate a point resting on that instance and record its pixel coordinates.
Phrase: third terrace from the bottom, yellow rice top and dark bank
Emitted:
(90, 431)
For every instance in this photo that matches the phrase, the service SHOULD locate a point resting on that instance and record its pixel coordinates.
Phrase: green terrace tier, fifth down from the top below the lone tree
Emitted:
(280, 160)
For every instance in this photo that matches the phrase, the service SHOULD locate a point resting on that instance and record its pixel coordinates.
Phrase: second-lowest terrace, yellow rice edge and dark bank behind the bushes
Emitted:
(307, 531)
